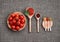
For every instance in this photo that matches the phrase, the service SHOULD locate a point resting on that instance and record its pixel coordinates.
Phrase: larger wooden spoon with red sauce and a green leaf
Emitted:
(30, 13)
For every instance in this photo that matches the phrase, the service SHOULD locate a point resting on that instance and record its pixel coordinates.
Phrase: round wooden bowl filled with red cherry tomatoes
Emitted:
(15, 24)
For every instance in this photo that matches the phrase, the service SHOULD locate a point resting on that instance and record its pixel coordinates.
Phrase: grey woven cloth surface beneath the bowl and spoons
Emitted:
(48, 8)
